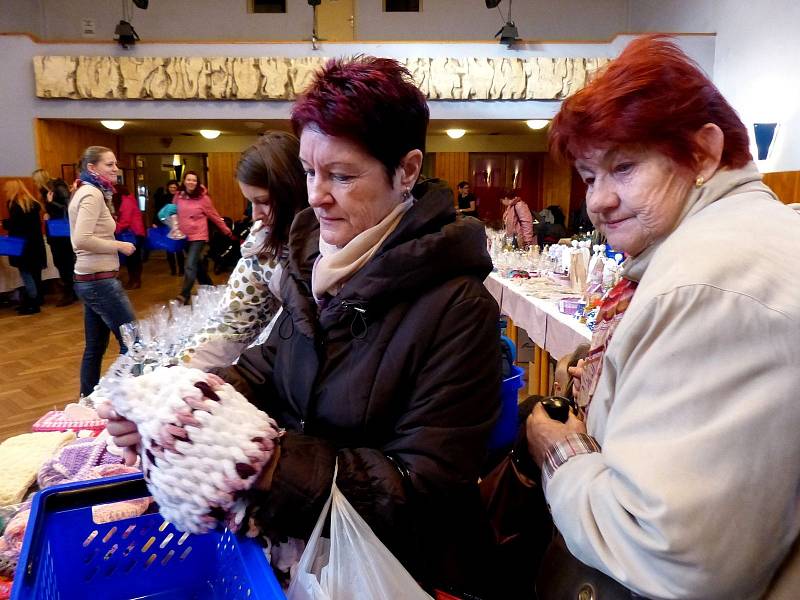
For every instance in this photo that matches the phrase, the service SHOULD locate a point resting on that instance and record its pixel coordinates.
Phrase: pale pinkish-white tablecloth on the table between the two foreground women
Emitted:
(547, 327)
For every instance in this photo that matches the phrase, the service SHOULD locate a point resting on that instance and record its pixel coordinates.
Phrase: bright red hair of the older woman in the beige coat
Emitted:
(652, 95)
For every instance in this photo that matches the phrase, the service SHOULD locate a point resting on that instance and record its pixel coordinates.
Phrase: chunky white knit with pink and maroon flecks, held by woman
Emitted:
(203, 444)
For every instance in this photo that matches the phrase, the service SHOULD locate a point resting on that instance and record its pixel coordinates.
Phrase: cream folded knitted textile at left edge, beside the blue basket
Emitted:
(22, 456)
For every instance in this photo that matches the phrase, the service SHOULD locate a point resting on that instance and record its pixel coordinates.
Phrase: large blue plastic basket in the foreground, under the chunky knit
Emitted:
(66, 556)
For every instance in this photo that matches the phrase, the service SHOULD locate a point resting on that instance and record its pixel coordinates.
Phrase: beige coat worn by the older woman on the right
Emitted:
(696, 491)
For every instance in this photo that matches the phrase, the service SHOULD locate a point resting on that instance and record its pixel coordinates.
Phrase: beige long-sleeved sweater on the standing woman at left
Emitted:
(91, 228)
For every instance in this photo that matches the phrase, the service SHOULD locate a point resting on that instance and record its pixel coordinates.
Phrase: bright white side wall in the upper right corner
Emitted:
(756, 60)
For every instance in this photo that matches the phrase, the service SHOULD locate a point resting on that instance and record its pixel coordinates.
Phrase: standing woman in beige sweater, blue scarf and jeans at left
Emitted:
(105, 304)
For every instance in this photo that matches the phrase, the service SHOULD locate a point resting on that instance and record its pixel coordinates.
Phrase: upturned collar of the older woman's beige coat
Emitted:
(724, 183)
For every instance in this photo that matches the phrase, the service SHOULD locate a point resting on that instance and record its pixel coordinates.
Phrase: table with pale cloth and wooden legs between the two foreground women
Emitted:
(552, 332)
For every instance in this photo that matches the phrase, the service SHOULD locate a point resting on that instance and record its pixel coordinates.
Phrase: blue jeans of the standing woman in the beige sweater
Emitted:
(105, 308)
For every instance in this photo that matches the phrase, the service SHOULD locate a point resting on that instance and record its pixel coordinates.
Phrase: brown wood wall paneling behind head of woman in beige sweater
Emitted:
(59, 142)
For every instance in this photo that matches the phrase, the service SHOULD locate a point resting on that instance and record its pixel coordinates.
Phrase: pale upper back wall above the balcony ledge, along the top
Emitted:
(228, 20)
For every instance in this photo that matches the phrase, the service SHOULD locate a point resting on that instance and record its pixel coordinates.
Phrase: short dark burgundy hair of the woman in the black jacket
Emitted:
(373, 102)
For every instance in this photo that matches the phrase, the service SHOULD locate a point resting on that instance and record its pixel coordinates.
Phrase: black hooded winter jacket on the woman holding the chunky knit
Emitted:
(398, 379)
